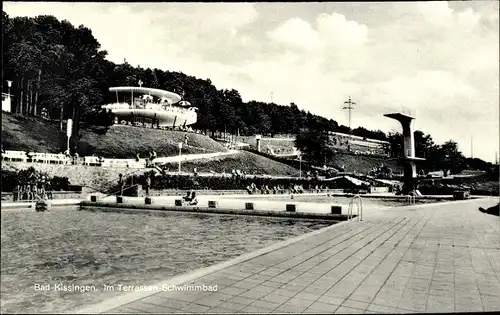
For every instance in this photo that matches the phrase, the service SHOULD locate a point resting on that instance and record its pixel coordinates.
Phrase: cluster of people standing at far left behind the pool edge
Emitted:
(35, 187)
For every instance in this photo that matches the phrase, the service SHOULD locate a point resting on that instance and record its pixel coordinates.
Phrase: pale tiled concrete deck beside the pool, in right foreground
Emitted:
(426, 258)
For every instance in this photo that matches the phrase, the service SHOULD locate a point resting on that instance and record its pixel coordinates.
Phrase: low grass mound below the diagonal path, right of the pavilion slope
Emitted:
(244, 161)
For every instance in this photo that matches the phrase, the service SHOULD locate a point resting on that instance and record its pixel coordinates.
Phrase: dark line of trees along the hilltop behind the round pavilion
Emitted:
(61, 69)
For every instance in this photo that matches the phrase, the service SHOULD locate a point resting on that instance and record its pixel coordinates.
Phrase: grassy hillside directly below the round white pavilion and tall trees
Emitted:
(35, 134)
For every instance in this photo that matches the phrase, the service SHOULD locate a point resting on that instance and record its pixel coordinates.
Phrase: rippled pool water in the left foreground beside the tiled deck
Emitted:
(97, 248)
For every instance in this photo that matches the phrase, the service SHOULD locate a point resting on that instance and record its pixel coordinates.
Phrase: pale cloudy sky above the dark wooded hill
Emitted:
(438, 59)
